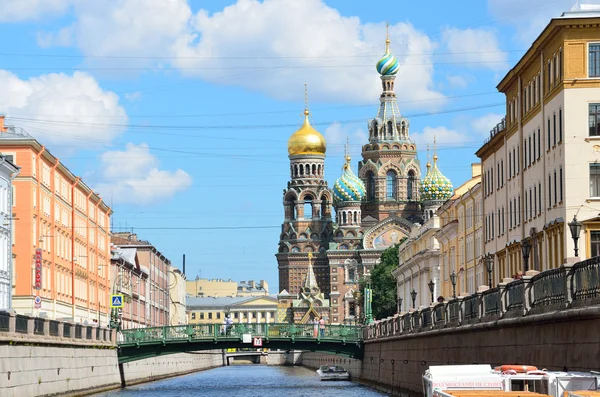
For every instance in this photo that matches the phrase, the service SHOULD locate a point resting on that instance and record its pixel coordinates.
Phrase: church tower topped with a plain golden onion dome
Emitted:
(307, 201)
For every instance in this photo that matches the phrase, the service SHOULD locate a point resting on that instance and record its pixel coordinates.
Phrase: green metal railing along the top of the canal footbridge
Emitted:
(215, 332)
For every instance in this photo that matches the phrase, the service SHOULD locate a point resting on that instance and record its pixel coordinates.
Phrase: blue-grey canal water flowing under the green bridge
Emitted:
(247, 380)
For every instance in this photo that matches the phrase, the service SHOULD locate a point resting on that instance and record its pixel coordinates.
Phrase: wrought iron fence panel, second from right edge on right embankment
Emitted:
(549, 287)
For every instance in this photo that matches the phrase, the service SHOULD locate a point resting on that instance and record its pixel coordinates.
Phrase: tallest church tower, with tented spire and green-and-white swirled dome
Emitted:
(390, 169)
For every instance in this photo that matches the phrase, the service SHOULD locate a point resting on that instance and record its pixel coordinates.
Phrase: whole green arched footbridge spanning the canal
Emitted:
(140, 343)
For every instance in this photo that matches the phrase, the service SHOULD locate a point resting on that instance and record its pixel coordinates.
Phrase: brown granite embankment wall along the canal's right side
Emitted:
(553, 340)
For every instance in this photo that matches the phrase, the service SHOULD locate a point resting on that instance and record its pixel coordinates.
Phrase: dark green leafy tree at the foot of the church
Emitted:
(383, 284)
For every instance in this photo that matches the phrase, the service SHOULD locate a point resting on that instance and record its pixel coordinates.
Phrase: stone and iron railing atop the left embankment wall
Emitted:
(18, 328)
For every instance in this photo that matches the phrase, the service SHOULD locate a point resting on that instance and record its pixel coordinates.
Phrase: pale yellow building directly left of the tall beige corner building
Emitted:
(460, 238)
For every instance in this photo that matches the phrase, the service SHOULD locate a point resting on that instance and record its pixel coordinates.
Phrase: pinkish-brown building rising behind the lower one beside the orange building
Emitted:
(156, 286)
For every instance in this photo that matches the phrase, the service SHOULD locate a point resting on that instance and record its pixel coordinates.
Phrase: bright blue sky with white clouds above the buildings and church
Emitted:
(178, 112)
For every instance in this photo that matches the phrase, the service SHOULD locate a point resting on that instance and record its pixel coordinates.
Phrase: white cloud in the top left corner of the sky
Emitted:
(20, 10)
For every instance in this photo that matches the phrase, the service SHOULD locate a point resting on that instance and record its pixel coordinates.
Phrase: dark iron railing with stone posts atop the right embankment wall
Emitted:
(563, 288)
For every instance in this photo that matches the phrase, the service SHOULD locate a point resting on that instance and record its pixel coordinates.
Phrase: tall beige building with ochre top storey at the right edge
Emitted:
(541, 167)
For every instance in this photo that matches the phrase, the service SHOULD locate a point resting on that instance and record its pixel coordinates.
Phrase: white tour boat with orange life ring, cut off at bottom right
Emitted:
(442, 380)
